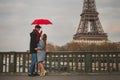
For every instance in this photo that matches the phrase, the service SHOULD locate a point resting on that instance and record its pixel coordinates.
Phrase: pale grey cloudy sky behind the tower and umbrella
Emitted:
(16, 17)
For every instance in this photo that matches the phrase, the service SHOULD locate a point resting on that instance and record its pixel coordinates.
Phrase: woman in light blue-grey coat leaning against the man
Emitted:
(41, 52)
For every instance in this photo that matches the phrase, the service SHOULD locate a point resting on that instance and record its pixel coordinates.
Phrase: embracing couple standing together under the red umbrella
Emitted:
(38, 51)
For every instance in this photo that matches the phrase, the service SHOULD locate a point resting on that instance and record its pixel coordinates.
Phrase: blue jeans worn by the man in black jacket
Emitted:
(33, 63)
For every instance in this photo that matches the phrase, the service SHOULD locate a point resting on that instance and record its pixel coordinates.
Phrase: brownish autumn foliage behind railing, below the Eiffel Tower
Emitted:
(84, 46)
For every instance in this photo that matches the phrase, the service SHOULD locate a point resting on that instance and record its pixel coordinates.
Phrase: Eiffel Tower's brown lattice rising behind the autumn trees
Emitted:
(90, 28)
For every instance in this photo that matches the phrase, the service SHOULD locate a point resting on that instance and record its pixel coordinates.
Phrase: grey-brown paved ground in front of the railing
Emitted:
(72, 77)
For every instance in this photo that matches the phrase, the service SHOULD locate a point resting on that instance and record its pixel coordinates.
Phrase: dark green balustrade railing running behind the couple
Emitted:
(81, 62)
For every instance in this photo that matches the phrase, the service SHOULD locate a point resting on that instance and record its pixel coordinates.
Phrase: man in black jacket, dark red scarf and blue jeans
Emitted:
(34, 39)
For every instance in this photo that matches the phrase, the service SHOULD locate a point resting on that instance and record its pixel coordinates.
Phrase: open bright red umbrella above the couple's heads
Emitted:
(41, 22)
